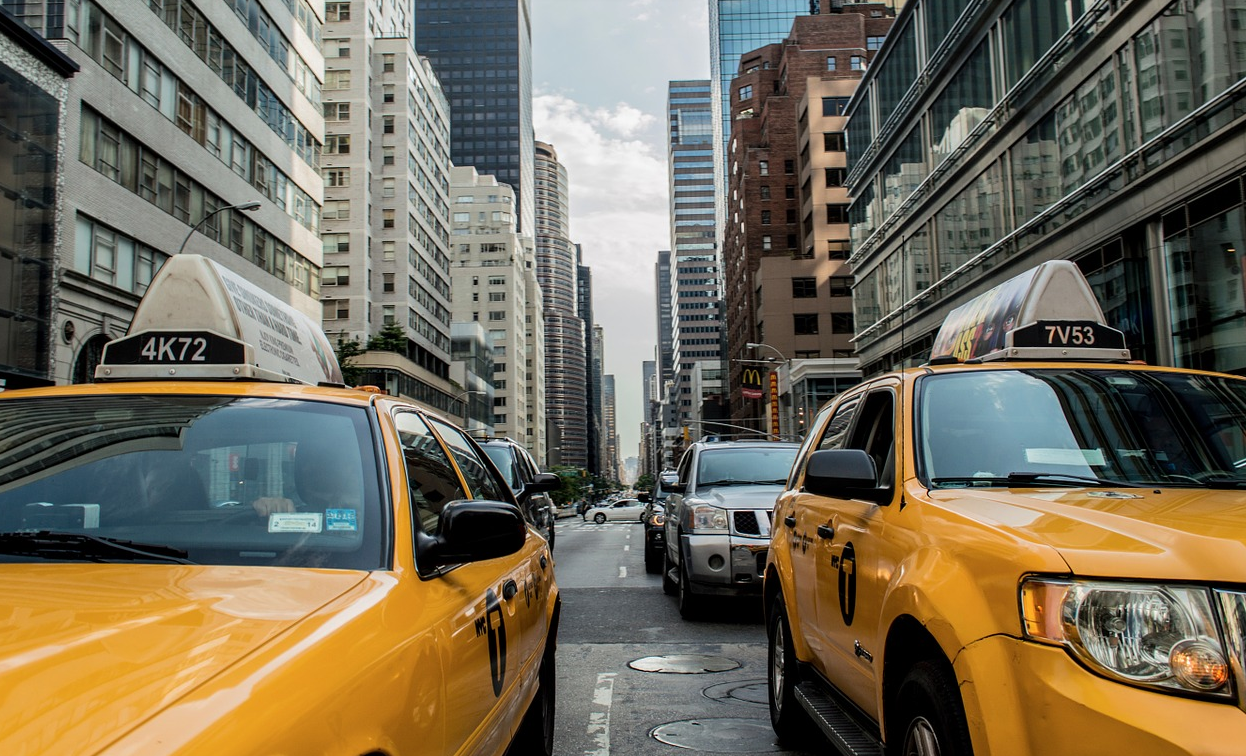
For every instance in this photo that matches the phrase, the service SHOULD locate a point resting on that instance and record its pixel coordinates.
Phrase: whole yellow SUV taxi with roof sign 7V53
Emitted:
(1031, 546)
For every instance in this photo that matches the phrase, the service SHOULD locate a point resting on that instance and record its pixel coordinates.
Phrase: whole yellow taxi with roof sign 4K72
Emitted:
(217, 549)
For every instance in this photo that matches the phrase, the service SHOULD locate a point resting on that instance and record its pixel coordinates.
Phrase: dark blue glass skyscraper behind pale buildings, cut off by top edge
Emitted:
(483, 53)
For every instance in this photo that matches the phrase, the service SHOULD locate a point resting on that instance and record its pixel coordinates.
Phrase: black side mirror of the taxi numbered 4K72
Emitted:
(472, 531)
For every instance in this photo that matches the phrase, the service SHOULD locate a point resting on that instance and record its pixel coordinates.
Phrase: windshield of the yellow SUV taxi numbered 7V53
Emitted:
(1103, 427)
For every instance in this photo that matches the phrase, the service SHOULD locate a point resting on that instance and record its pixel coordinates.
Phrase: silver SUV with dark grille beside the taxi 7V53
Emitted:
(718, 519)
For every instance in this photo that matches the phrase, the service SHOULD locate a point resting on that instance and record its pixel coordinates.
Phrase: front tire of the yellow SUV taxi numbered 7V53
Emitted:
(930, 716)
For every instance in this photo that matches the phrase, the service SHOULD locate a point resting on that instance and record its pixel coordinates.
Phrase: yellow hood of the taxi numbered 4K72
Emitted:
(89, 652)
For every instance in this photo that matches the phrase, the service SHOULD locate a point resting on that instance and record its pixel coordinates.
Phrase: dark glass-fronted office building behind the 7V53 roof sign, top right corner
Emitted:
(990, 138)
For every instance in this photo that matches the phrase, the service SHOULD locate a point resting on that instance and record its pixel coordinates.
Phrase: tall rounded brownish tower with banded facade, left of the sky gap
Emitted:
(566, 371)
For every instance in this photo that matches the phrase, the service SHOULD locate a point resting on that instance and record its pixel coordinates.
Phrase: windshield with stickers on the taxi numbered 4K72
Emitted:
(209, 479)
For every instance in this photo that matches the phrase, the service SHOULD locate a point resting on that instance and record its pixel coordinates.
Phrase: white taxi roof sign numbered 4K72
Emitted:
(201, 321)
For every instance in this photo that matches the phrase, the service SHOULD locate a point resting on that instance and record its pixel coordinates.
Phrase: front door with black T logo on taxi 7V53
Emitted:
(849, 534)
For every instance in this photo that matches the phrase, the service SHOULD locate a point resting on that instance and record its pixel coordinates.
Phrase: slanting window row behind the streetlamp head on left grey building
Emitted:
(133, 165)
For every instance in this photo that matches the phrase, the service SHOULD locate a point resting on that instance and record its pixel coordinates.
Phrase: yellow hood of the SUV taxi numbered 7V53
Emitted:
(1172, 534)
